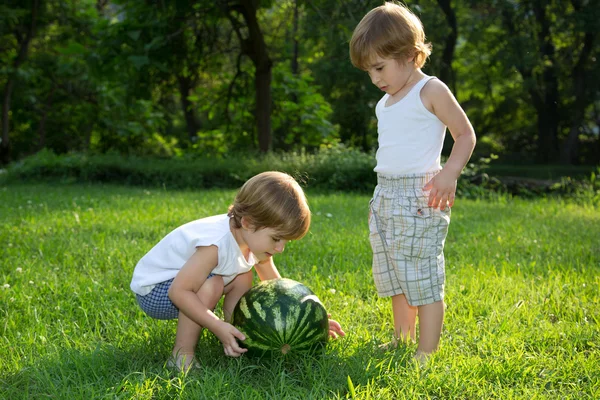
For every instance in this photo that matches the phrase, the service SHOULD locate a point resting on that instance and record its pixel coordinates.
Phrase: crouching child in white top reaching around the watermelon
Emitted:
(185, 274)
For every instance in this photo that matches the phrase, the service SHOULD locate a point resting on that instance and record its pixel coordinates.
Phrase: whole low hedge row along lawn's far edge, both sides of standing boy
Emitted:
(331, 168)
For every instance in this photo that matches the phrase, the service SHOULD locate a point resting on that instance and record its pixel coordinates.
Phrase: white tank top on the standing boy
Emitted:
(410, 136)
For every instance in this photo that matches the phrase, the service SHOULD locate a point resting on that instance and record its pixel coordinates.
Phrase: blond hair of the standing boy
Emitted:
(389, 31)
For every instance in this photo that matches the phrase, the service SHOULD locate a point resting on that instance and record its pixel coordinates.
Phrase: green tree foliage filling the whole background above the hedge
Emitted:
(169, 78)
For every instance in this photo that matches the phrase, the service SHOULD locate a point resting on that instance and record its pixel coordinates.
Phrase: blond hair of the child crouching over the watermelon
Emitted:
(272, 200)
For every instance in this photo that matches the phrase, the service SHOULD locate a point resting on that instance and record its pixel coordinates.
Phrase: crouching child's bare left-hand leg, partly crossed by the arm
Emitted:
(188, 331)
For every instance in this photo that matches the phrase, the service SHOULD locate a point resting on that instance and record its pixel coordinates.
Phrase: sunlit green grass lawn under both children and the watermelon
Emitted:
(522, 300)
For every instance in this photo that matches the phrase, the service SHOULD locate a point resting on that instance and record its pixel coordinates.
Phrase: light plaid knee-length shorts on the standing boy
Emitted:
(407, 237)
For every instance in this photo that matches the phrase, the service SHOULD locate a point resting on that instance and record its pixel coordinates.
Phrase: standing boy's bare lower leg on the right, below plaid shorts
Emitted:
(431, 319)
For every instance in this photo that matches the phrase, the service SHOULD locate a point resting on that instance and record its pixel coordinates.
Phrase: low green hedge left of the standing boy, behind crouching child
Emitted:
(335, 168)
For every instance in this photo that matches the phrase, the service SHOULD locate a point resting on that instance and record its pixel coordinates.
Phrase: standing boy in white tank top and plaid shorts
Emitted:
(410, 209)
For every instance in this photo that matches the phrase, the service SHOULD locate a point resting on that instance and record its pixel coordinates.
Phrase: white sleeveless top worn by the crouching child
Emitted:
(165, 259)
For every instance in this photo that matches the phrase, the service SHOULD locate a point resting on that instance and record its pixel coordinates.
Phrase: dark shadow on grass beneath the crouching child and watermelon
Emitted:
(126, 371)
